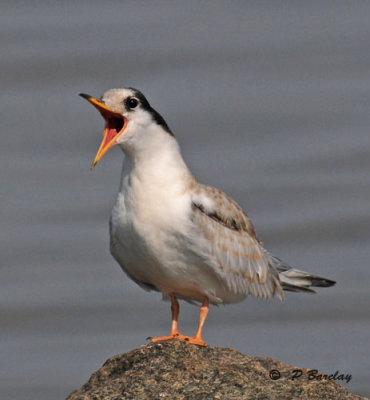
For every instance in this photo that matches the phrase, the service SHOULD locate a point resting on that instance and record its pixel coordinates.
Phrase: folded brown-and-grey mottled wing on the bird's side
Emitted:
(232, 245)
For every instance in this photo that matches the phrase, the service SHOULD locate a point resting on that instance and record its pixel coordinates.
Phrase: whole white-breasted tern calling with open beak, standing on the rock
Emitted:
(175, 235)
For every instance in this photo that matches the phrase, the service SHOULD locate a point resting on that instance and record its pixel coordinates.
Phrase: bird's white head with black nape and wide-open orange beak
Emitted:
(130, 122)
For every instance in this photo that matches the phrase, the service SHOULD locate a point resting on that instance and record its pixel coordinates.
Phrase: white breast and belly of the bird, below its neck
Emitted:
(151, 229)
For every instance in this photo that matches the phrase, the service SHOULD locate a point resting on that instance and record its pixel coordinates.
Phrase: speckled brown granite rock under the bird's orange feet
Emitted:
(175, 370)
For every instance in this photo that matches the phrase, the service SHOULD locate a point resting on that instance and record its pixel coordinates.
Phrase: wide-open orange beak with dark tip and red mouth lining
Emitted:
(115, 124)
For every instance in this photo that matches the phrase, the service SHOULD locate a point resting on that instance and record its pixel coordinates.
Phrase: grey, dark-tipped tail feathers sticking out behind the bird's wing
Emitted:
(294, 280)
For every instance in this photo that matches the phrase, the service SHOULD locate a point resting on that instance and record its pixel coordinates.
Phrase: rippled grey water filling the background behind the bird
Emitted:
(269, 101)
